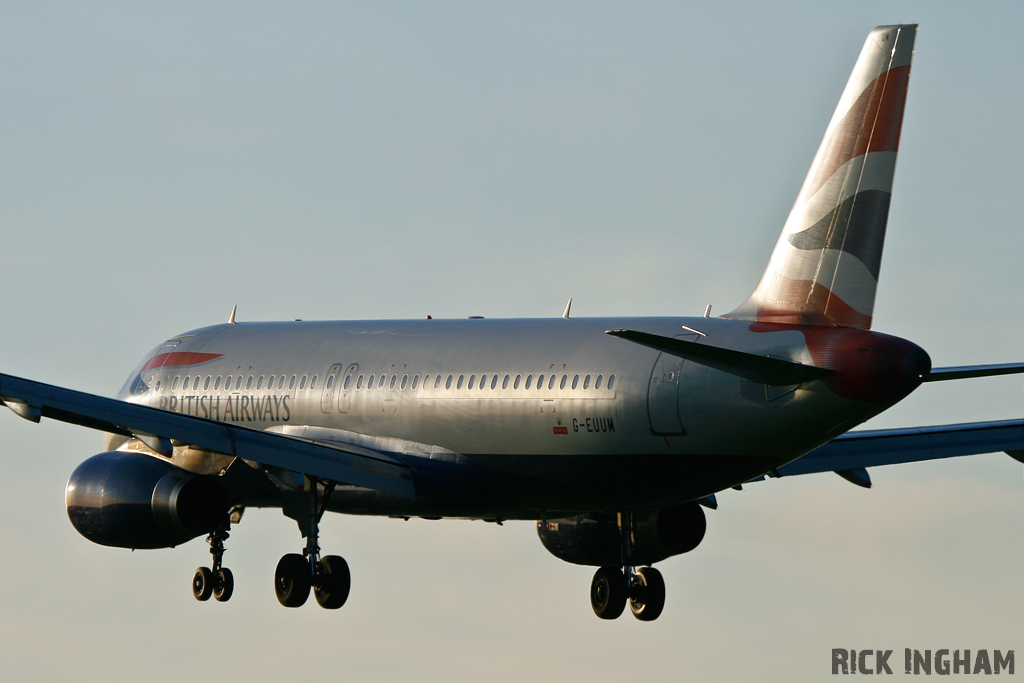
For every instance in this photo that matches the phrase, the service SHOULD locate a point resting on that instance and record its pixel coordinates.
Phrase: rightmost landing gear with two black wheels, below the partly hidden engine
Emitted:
(644, 588)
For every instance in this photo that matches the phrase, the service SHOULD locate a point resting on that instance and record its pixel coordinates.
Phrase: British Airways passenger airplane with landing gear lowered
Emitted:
(612, 435)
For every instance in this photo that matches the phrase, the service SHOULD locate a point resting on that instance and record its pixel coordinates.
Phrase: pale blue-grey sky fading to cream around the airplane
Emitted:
(163, 162)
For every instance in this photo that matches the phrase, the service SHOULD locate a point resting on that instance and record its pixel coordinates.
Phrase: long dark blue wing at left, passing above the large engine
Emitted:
(346, 463)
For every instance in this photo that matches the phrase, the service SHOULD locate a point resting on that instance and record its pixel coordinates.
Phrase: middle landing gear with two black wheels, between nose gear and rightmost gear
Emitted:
(328, 576)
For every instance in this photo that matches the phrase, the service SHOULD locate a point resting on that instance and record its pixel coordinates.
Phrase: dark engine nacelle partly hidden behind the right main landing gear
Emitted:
(595, 539)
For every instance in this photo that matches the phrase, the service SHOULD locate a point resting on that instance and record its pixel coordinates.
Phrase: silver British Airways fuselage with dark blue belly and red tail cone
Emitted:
(545, 415)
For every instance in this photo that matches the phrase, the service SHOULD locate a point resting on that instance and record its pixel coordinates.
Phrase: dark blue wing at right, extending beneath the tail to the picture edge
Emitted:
(852, 453)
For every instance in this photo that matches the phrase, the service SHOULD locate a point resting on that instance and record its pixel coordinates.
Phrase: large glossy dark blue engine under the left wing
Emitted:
(134, 501)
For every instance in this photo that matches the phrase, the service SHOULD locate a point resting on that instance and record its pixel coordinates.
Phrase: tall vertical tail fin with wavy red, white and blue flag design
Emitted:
(825, 270)
